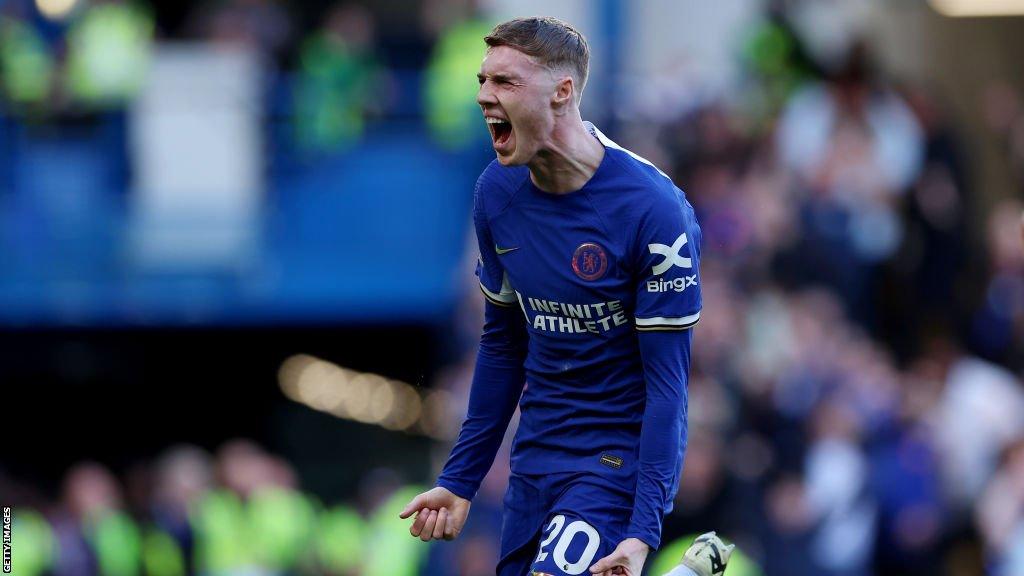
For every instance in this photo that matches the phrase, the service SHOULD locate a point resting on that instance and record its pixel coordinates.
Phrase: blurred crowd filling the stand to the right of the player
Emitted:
(857, 398)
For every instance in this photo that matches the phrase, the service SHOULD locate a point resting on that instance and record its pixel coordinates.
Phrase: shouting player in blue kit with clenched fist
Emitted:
(589, 260)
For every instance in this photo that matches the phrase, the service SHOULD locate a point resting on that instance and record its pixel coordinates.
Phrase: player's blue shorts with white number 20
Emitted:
(562, 524)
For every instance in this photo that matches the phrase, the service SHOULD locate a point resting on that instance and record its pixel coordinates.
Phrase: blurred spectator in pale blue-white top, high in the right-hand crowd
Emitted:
(856, 148)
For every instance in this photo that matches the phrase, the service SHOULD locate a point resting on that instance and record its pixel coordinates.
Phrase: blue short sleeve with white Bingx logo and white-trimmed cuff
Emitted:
(668, 290)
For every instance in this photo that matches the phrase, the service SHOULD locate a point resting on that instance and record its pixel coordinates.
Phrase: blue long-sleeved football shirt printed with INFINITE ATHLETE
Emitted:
(582, 277)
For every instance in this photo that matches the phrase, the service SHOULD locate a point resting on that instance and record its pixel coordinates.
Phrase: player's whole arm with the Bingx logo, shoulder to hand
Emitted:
(668, 306)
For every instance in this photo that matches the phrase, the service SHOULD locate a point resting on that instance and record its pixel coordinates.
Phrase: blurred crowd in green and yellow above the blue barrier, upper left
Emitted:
(329, 69)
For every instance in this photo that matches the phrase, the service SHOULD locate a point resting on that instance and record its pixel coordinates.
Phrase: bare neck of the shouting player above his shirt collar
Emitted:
(570, 158)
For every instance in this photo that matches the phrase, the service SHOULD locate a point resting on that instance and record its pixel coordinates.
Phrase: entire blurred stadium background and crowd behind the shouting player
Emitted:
(238, 314)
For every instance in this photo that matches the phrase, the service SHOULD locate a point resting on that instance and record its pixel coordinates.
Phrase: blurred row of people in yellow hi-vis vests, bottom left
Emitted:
(188, 512)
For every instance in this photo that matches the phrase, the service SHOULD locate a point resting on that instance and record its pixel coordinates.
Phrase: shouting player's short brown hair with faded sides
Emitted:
(553, 43)
